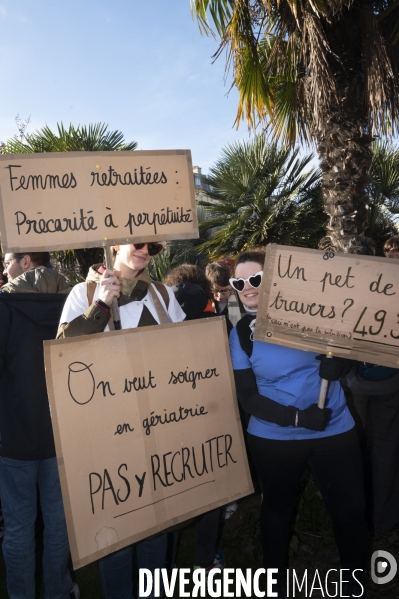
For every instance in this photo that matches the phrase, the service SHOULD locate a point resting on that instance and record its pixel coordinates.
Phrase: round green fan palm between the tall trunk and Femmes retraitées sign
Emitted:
(260, 194)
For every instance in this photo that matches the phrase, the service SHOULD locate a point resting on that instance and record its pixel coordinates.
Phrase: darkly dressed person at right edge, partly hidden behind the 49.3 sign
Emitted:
(375, 395)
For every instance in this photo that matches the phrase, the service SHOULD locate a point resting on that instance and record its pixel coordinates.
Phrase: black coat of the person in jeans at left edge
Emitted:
(26, 320)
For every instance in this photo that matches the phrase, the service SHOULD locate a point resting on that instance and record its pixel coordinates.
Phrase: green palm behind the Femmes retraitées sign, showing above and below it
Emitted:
(93, 138)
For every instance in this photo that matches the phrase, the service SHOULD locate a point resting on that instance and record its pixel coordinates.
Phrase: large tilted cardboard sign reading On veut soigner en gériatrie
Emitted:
(147, 431)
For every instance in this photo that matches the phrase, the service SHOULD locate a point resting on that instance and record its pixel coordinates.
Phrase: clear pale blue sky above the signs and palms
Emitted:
(140, 66)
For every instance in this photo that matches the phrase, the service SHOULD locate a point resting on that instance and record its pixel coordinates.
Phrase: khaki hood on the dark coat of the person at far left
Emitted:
(38, 280)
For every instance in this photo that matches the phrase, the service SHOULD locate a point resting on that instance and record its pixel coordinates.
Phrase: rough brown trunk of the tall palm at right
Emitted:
(344, 145)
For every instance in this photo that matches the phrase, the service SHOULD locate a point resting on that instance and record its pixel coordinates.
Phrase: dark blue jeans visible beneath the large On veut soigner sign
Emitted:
(116, 569)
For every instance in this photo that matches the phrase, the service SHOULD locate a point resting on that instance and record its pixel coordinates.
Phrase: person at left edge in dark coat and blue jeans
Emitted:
(30, 307)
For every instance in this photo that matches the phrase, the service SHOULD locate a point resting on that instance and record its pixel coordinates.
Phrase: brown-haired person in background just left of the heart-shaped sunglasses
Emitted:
(225, 299)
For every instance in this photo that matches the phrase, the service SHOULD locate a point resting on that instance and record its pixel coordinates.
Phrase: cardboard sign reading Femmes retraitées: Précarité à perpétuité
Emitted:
(66, 200)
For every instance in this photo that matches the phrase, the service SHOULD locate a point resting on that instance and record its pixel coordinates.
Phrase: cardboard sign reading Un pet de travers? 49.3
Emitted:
(343, 303)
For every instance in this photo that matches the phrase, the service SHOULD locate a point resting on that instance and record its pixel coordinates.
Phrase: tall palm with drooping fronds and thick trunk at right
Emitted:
(321, 71)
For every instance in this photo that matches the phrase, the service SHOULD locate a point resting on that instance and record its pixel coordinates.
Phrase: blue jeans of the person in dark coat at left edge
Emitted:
(19, 482)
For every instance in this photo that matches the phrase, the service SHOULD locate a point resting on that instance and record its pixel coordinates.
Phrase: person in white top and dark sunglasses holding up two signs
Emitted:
(142, 302)
